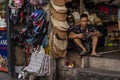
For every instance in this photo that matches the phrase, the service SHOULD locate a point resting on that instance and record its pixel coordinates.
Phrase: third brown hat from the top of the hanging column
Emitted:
(62, 35)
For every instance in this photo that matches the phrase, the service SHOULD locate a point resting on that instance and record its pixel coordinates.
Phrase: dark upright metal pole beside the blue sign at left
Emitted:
(11, 69)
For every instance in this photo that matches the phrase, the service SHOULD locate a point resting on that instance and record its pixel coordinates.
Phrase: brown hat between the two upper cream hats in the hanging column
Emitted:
(58, 16)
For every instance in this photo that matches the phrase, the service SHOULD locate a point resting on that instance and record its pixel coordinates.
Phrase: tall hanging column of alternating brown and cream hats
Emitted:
(58, 34)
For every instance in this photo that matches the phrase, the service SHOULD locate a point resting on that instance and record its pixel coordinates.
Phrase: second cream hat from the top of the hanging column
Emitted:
(60, 25)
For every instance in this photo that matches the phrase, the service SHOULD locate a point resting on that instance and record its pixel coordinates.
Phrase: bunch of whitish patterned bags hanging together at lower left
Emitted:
(39, 63)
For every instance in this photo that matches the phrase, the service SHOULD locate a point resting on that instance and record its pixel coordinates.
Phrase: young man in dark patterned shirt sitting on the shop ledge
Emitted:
(81, 34)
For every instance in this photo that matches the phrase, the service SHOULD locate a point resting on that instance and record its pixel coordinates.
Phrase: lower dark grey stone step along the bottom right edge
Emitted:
(88, 74)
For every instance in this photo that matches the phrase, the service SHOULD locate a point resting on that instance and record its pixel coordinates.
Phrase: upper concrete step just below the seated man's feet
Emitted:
(109, 61)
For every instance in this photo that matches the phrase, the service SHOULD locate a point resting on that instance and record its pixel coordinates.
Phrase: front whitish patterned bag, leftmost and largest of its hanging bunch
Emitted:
(36, 61)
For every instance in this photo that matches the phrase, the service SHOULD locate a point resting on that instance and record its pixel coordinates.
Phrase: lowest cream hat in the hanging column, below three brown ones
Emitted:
(60, 44)
